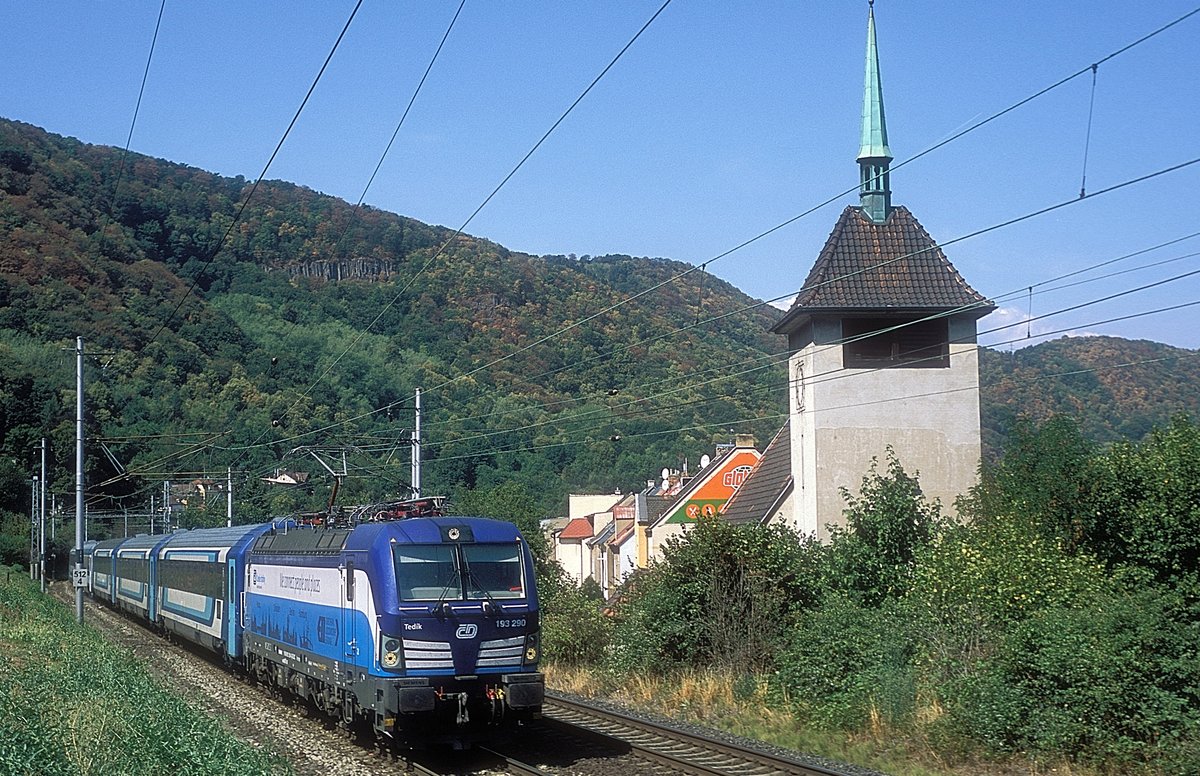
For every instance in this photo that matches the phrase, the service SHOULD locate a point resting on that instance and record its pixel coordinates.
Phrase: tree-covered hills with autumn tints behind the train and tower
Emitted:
(239, 334)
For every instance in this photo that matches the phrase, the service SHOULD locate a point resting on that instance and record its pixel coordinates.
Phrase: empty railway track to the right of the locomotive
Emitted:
(679, 751)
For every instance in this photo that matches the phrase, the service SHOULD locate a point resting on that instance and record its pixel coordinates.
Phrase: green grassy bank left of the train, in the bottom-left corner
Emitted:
(74, 705)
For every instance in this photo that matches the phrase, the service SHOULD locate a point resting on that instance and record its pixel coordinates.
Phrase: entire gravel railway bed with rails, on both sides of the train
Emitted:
(574, 738)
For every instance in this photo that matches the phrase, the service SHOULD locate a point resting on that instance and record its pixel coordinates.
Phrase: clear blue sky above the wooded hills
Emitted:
(722, 122)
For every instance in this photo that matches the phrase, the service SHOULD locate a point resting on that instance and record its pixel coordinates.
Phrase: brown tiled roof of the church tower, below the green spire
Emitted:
(895, 266)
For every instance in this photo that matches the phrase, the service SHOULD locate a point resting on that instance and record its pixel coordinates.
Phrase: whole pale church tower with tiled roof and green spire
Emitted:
(883, 338)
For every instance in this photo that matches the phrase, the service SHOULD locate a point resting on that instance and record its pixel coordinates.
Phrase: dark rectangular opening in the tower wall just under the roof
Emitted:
(896, 342)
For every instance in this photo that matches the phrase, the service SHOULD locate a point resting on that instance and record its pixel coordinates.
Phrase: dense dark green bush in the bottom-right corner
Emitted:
(1118, 682)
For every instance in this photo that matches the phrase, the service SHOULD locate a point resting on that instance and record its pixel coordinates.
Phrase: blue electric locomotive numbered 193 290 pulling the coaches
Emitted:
(425, 628)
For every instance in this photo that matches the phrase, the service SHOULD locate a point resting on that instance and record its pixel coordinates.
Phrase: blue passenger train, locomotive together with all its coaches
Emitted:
(421, 625)
